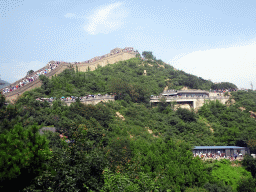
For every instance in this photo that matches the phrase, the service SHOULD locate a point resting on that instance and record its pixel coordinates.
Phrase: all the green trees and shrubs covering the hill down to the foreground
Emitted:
(147, 150)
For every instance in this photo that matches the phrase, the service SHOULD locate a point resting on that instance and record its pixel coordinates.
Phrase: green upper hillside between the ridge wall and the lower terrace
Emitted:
(124, 78)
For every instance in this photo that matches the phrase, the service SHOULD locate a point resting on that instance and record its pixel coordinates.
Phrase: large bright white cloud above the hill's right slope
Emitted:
(235, 64)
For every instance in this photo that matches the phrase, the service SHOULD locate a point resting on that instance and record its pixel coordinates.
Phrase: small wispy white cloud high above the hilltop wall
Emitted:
(106, 19)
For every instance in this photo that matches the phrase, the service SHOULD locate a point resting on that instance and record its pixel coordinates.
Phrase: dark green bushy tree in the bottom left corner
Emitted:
(22, 155)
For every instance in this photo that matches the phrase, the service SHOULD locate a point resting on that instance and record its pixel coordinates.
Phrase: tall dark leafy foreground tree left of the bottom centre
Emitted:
(76, 165)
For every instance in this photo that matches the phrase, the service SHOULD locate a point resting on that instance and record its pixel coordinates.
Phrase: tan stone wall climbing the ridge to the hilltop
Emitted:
(114, 56)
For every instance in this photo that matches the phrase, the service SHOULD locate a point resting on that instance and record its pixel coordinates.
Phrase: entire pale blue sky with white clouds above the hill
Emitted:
(212, 39)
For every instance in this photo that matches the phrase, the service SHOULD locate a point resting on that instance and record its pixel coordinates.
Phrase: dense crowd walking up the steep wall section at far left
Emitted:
(31, 77)
